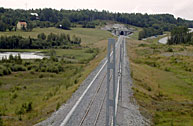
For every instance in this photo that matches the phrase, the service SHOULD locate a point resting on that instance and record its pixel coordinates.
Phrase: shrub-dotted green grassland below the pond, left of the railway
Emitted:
(44, 89)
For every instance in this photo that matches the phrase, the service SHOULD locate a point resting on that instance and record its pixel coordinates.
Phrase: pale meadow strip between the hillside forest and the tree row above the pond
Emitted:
(88, 35)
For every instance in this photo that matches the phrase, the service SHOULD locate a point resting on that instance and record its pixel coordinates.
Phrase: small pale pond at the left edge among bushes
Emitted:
(24, 55)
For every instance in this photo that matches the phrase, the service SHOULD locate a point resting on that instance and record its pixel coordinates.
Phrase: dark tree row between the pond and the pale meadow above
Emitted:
(42, 42)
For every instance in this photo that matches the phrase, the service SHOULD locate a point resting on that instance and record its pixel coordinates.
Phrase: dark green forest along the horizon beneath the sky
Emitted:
(50, 17)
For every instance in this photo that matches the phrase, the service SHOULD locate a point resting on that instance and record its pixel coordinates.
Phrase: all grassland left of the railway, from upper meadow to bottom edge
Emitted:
(31, 96)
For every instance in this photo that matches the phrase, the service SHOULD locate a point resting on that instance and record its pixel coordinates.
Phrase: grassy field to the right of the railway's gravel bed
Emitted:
(163, 81)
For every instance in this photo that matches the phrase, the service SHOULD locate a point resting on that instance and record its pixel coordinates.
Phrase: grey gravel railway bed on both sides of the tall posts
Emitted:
(95, 100)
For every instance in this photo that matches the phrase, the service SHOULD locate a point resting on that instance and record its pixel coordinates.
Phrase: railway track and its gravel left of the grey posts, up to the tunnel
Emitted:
(88, 105)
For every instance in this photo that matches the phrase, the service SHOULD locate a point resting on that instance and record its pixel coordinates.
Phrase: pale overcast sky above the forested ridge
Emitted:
(180, 8)
